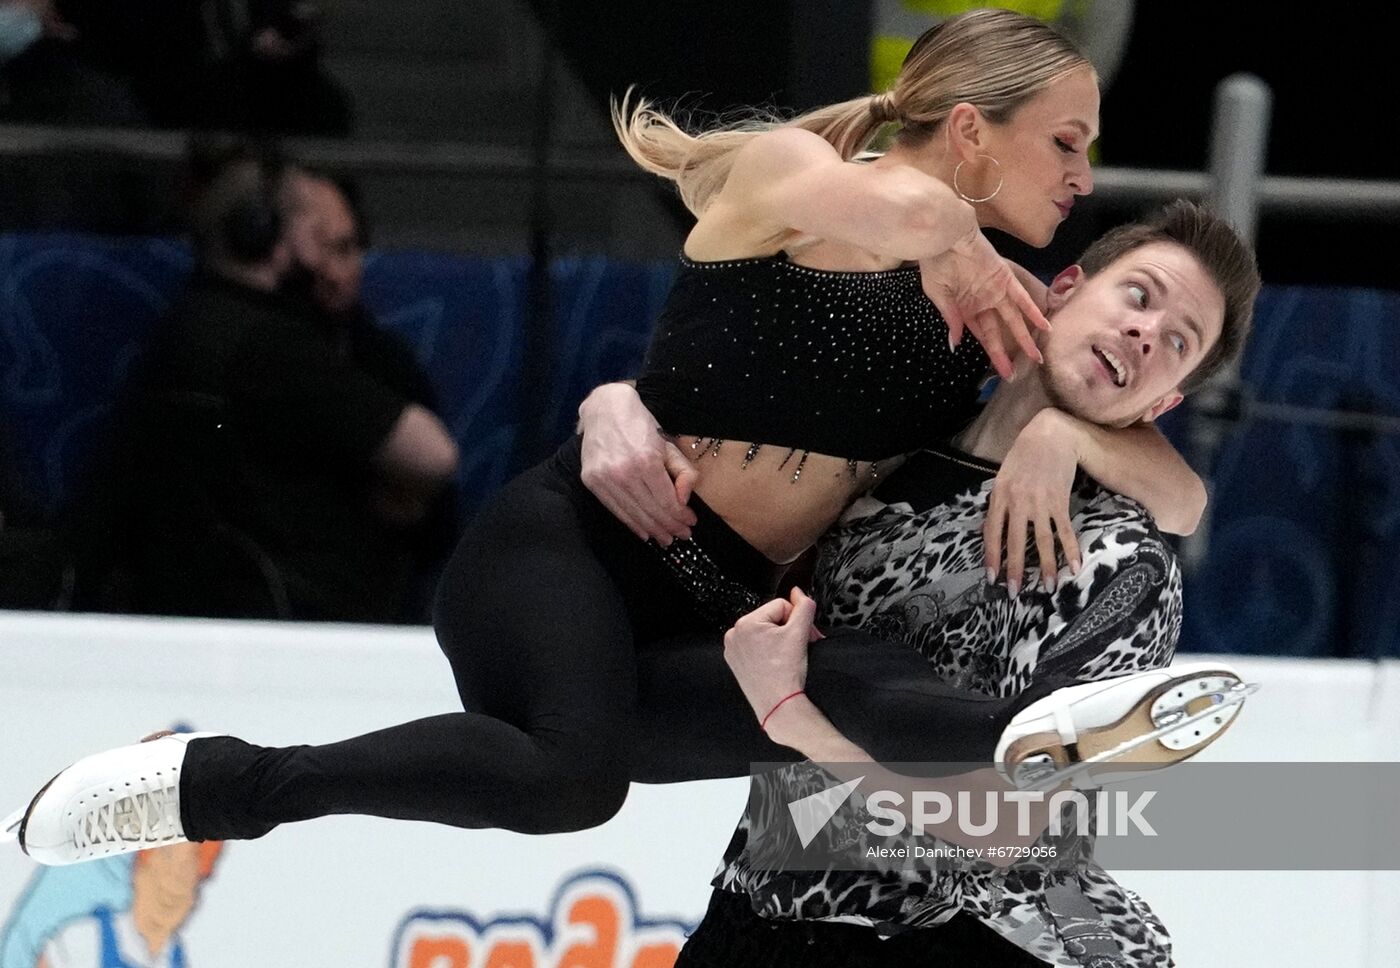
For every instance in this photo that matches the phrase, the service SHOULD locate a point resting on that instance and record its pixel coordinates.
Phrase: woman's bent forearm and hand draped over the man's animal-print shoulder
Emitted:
(1032, 490)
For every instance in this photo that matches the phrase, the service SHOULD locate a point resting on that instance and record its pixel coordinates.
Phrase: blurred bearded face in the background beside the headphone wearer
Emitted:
(327, 242)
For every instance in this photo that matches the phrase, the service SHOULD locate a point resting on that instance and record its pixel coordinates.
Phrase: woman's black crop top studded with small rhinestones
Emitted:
(852, 365)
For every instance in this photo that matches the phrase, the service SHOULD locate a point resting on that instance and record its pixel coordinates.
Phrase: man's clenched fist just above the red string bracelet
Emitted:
(766, 651)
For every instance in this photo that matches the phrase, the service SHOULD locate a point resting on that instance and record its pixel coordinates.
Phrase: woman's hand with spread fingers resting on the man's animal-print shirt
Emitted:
(1032, 494)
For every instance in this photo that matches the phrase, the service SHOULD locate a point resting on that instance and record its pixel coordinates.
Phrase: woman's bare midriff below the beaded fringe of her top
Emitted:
(779, 516)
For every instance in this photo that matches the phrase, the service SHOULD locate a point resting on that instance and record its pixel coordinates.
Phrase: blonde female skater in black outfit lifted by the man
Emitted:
(839, 355)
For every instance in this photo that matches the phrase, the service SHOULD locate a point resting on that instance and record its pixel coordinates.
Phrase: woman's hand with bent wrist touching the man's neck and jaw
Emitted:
(978, 292)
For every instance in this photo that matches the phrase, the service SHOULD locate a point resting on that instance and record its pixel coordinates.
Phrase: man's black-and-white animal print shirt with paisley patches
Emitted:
(918, 575)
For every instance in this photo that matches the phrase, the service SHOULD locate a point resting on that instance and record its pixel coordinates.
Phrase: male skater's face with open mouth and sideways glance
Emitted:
(1125, 340)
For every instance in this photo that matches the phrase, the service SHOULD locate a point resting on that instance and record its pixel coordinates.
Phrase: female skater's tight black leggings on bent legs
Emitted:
(555, 621)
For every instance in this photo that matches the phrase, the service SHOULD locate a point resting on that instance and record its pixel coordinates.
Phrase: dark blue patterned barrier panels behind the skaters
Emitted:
(1305, 522)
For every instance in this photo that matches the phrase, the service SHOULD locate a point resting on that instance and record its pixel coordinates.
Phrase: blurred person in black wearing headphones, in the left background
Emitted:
(253, 455)
